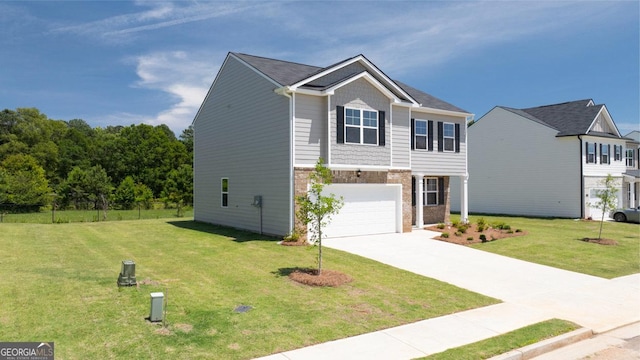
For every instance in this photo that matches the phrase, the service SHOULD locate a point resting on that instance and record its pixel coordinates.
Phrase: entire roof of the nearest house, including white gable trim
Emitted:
(288, 73)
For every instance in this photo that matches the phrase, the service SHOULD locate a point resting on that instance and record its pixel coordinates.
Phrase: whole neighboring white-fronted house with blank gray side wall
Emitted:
(545, 161)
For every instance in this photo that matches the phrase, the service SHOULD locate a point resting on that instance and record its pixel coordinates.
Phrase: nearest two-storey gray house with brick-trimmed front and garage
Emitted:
(263, 125)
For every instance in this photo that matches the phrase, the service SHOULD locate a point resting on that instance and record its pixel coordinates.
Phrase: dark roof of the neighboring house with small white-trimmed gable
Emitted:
(569, 118)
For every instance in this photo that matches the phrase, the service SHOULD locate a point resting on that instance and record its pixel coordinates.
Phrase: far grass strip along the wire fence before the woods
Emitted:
(67, 216)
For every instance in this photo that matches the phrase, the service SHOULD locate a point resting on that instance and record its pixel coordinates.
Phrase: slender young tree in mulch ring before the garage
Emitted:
(316, 208)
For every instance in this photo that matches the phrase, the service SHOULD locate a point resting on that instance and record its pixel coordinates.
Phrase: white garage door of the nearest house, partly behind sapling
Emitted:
(368, 209)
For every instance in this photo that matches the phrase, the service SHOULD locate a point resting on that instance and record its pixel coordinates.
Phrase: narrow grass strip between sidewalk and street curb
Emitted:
(506, 342)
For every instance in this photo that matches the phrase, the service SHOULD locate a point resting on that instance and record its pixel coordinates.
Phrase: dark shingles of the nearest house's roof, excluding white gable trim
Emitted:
(289, 73)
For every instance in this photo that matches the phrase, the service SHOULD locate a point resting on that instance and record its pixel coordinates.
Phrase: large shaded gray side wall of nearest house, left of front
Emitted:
(230, 140)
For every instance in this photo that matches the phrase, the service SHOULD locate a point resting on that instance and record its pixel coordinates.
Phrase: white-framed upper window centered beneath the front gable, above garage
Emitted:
(361, 126)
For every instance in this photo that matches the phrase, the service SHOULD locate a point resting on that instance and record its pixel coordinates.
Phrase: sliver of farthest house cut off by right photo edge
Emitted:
(631, 177)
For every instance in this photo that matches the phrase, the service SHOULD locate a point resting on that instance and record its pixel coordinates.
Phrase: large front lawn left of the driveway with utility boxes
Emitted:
(58, 283)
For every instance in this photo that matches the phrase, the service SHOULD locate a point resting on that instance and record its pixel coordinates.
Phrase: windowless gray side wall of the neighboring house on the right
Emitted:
(519, 167)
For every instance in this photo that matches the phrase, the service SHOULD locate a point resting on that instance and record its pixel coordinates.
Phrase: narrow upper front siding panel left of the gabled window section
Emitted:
(310, 129)
